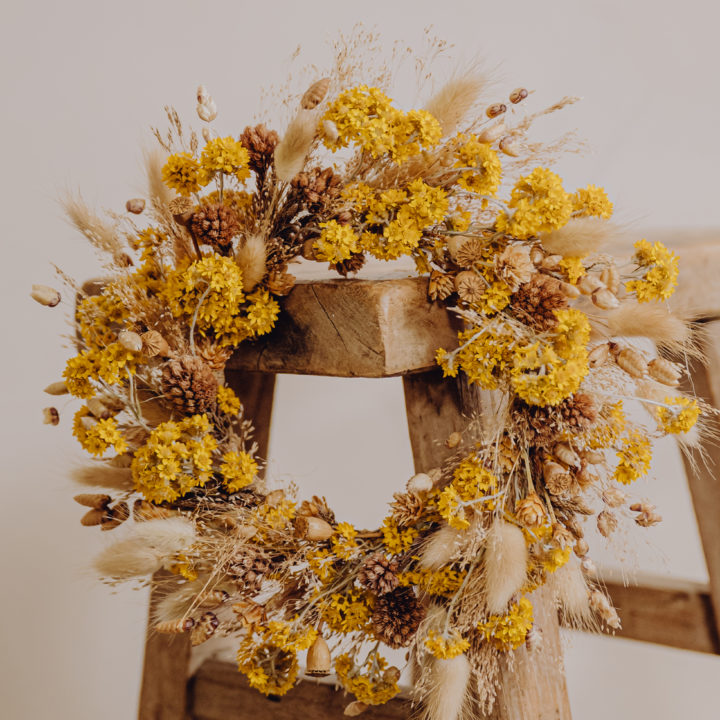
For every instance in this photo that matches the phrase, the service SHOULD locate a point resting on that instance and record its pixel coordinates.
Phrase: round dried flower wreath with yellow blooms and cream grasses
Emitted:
(547, 320)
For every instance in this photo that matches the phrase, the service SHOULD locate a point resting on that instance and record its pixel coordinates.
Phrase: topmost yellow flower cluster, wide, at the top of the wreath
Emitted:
(366, 117)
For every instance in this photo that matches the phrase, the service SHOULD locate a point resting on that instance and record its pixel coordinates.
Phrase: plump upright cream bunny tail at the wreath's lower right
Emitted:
(505, 563)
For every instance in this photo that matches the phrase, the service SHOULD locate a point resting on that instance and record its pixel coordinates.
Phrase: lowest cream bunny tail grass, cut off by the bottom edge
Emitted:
(446, 694)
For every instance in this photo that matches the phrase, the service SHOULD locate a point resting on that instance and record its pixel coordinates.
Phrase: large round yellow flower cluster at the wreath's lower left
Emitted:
(176, 458)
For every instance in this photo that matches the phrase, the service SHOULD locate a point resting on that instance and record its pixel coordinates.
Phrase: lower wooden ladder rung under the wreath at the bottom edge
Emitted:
(220, 692)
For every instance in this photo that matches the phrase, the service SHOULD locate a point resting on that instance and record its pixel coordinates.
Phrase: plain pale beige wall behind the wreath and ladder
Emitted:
(81, 83)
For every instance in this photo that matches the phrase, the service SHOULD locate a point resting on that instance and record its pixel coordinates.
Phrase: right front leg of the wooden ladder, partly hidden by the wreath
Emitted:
(534, 687)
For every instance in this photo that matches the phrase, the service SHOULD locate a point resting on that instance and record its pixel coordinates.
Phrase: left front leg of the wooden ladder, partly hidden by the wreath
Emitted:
(163, 690)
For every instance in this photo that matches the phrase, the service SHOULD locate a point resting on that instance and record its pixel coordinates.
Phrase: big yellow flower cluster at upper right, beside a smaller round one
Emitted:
(540, 205)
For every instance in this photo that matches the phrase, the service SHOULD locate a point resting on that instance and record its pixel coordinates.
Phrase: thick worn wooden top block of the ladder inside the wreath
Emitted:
(352, 328)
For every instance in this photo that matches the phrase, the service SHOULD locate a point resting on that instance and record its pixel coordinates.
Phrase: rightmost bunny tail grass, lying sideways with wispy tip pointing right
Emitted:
(654, 321)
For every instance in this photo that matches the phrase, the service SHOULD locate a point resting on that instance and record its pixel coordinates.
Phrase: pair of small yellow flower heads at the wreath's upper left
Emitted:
(186, 175)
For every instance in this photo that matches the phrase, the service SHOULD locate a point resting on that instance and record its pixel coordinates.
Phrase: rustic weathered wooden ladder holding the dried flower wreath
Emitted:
(385, 328)
